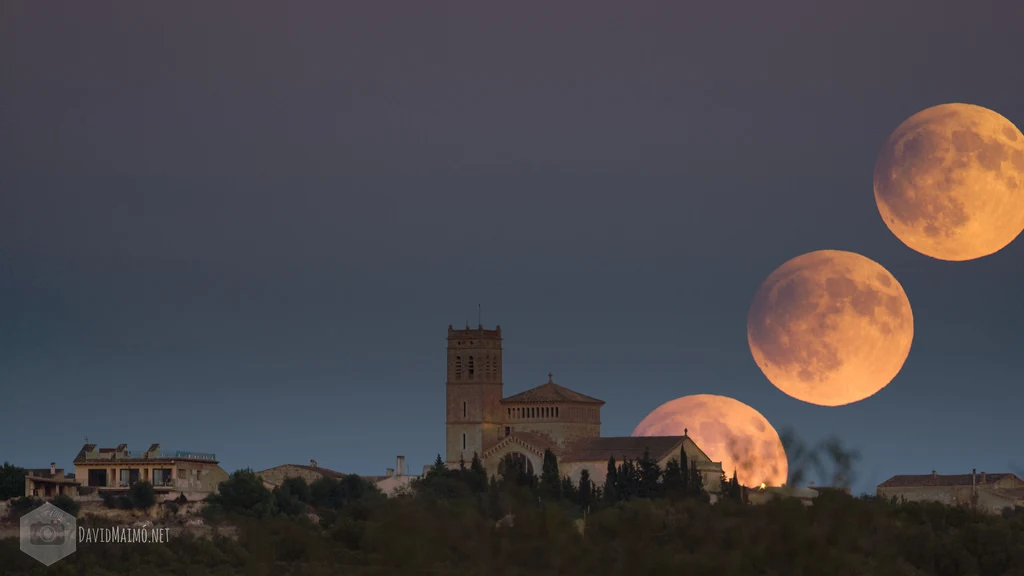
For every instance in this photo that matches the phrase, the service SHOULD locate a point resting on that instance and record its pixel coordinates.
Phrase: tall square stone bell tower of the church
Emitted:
(474, 392)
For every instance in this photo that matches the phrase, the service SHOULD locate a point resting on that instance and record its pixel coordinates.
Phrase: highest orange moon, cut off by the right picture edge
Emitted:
(950, 182)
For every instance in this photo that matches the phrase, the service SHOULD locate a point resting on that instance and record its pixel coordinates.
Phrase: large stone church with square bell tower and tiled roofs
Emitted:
(482, 421)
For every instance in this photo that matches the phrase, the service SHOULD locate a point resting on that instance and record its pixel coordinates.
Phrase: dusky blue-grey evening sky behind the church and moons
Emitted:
(244, 228)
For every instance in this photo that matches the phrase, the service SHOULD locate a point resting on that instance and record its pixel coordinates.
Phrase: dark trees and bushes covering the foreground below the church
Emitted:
(642, 521)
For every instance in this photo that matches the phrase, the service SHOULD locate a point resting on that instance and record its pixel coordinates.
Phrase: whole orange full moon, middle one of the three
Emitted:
(831, 327)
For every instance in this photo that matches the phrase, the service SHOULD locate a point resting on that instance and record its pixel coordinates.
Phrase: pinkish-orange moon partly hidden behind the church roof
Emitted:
(729, 431)
